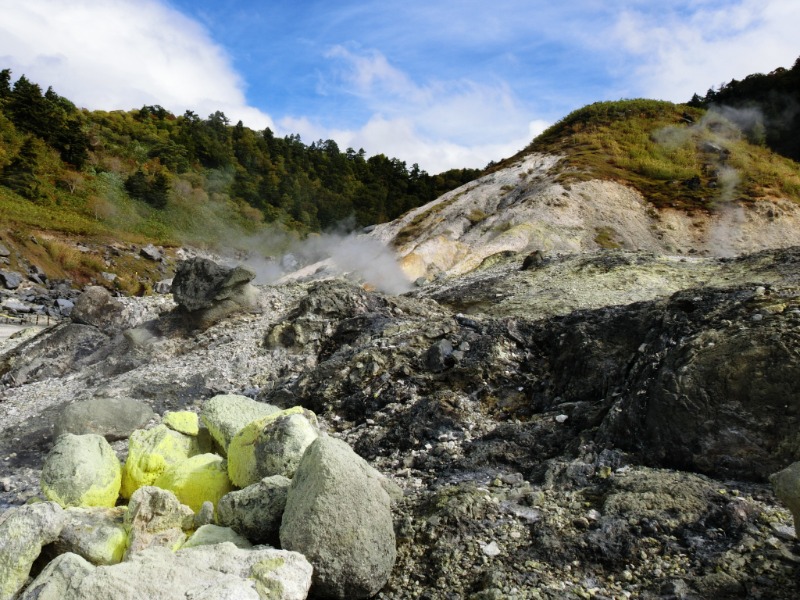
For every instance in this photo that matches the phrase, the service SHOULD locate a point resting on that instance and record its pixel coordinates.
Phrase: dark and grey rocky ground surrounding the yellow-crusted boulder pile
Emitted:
(580, 426)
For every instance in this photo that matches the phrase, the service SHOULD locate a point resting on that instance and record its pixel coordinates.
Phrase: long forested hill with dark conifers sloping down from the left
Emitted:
(150, 170)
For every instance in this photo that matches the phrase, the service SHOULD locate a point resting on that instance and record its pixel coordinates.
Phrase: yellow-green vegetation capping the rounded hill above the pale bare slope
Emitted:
(676, 155)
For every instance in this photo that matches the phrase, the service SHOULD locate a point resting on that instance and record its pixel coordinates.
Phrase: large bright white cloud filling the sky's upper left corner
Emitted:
(122, 54)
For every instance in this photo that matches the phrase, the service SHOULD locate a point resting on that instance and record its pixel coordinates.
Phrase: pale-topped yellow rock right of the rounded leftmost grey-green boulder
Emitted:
(150, 452)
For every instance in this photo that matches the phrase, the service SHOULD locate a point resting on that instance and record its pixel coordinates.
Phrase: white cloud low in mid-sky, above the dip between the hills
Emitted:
(440, 125)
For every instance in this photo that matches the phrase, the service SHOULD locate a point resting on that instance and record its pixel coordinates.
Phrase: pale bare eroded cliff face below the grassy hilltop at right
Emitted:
(523, 208)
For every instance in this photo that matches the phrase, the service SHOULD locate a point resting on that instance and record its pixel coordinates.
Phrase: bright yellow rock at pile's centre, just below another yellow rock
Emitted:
(201, 478)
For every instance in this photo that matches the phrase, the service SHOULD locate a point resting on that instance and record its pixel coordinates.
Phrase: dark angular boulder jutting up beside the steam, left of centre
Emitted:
(200, 284)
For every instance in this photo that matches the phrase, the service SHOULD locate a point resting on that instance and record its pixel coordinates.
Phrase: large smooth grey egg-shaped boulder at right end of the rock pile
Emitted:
(338, 516)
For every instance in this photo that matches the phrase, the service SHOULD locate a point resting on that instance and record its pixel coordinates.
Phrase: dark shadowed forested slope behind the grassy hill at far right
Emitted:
(767, 103)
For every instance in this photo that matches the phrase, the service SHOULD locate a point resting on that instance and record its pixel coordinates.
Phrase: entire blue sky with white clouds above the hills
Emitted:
(441, 83)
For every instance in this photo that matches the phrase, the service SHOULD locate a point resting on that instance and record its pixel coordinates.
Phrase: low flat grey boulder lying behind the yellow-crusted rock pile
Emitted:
(113, 418)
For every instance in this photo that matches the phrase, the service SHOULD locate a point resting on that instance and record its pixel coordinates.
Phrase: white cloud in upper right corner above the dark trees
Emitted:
(677, 54)
